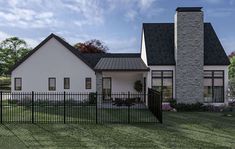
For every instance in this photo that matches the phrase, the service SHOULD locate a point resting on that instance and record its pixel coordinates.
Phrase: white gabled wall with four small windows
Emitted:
(53, 60)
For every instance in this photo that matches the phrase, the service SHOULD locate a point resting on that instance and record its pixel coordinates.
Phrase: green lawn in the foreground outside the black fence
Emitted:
(179, 130)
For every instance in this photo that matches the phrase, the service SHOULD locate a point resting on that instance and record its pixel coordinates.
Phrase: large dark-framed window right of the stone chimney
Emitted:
(213, 86)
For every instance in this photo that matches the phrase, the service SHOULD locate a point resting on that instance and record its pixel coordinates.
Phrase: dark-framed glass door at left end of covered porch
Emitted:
(106, 88)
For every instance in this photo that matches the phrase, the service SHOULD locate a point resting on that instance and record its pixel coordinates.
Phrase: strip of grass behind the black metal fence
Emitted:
(74, 114)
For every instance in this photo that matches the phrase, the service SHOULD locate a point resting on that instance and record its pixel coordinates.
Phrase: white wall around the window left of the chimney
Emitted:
(149, 76)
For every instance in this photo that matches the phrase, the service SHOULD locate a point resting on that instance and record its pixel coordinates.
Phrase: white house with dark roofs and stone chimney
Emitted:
(184, 60)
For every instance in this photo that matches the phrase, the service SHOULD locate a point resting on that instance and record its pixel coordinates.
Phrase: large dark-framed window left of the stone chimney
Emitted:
(162, 81)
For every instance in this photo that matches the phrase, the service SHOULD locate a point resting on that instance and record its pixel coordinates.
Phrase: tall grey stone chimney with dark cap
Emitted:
(189, 54)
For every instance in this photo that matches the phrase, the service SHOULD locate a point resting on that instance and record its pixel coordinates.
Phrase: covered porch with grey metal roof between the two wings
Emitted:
(117, 76)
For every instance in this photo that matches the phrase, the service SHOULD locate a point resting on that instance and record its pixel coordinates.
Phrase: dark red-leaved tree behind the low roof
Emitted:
(92, 46)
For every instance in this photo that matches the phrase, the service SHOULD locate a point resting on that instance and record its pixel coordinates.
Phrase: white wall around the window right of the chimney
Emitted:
(225, 68)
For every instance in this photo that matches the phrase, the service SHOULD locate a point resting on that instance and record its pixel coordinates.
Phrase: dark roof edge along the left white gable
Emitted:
(60, 40)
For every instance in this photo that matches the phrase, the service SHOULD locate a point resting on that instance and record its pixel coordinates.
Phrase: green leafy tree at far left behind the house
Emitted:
(12, 50)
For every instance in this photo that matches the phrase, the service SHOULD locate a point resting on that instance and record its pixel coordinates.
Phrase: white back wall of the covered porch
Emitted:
(123, 81)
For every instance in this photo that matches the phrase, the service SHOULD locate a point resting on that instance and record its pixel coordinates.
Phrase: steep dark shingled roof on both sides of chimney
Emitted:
(159, 41)
